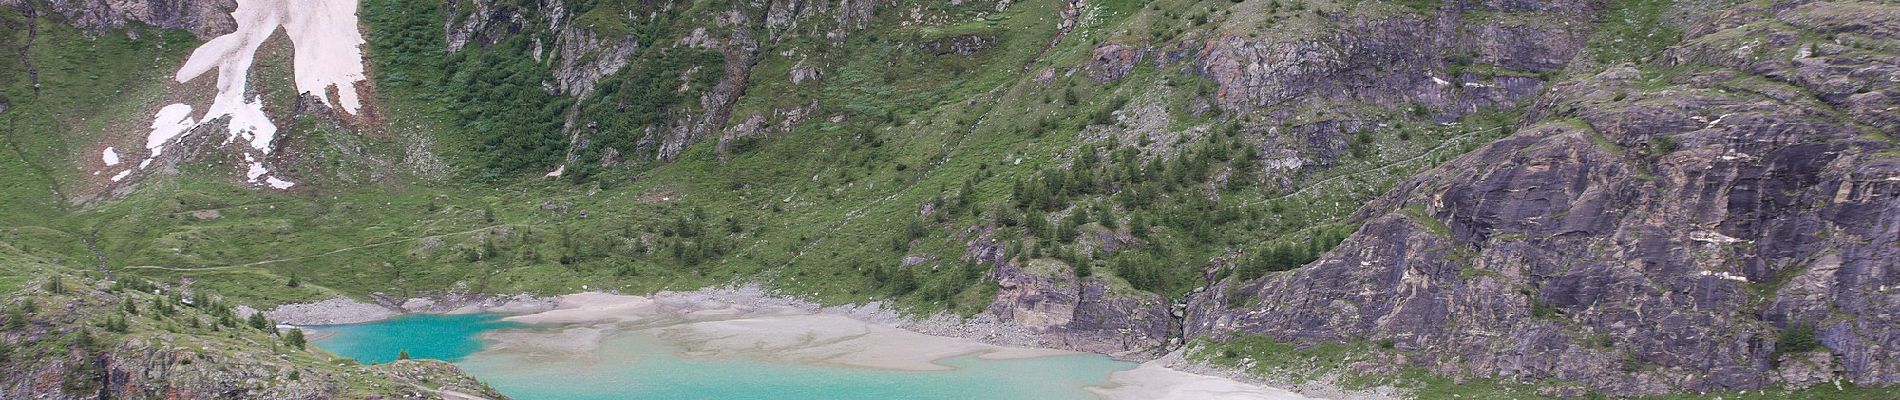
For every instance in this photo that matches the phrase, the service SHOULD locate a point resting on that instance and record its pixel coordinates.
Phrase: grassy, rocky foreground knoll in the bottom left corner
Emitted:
(66, 335)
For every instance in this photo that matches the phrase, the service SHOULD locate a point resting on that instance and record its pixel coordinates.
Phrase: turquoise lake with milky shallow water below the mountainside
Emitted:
(632, 367)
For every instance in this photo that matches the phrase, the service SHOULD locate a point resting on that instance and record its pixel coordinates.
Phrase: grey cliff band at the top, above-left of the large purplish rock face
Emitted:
(1397, 58)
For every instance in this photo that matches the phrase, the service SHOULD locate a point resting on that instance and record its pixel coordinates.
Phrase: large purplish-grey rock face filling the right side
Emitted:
(1644, 234)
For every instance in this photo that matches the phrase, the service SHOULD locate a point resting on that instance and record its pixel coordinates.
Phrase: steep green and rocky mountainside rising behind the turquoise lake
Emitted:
(1542, 198)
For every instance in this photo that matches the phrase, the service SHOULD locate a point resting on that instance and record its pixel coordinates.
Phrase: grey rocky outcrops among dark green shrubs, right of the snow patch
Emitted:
(580, 56)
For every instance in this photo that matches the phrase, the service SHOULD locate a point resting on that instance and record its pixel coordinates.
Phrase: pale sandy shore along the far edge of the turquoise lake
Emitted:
(748, 321)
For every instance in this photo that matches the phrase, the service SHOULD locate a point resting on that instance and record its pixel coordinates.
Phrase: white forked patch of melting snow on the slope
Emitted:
(328, 65)
